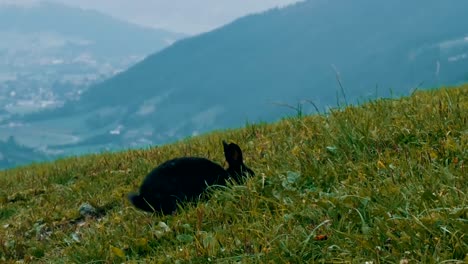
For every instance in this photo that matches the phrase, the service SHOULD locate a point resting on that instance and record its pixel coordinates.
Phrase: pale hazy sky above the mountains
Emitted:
(188, 16)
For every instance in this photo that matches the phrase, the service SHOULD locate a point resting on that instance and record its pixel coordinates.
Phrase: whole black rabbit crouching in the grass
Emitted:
(186, 178)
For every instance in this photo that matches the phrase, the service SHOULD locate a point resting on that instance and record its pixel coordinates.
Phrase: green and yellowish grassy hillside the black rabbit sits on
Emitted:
(383, 182)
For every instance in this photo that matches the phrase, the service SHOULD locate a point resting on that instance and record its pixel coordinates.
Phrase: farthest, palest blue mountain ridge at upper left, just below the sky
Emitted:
(108, 35)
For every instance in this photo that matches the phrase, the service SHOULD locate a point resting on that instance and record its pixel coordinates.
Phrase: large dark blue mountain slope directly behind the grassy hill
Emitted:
(236, 73)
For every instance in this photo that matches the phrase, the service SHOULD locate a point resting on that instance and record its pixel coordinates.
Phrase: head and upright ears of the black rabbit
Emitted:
(237, 169)
